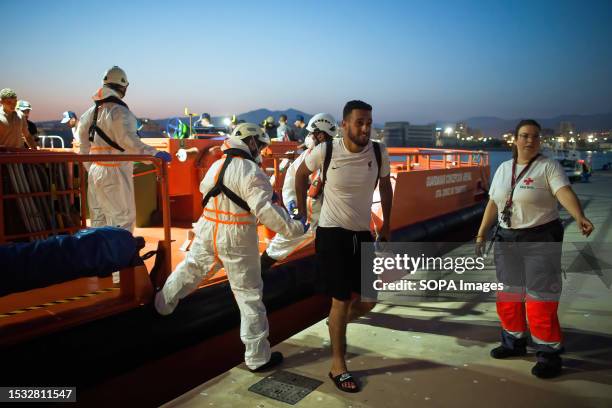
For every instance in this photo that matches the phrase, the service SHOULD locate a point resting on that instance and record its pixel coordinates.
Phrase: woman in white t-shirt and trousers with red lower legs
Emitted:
(523, 198)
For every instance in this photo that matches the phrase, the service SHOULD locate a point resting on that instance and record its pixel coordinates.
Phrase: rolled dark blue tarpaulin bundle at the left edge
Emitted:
(90, 252)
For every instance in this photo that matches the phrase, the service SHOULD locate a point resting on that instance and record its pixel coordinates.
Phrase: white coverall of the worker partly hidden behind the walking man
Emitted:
(282, 246)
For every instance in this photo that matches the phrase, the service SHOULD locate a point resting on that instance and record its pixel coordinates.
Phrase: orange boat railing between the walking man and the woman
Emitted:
(413, 159)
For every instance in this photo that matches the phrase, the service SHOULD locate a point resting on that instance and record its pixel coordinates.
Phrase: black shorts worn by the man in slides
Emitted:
(339, 261)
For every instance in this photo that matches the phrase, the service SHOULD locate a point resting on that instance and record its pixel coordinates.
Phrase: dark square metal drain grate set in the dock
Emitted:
(285, 386)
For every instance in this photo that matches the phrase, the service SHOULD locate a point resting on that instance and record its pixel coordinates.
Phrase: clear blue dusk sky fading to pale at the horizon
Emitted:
(420, 61)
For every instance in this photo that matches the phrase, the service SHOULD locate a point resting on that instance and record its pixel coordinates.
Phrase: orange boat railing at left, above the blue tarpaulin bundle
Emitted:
(12, 161)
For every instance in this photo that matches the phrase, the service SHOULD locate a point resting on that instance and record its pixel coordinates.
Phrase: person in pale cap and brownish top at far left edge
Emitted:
(13, 123)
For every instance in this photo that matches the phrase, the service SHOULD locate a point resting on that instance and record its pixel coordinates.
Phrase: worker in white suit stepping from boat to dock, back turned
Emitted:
(237, 194)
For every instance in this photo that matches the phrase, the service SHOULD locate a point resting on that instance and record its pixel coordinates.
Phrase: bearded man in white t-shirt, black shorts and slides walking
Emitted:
(354, 167)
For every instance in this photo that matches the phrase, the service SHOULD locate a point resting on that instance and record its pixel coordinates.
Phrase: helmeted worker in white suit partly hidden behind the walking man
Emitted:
(321, 128)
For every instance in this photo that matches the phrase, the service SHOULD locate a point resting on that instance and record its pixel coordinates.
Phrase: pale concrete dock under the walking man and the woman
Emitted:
(437, 354)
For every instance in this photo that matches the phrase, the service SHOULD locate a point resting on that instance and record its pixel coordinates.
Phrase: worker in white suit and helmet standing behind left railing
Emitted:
(109, 127)
